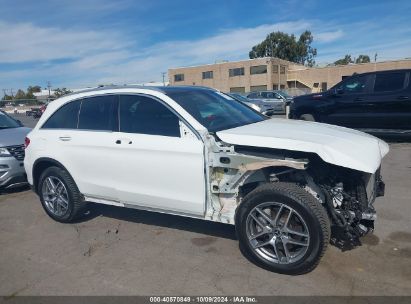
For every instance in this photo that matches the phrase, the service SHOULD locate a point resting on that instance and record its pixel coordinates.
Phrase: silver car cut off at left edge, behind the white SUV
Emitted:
(12, 134)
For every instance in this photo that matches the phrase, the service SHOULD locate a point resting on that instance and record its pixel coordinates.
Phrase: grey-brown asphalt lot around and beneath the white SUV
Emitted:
(117, 251)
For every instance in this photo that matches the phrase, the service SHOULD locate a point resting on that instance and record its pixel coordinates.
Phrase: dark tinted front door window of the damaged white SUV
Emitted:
(145, 115)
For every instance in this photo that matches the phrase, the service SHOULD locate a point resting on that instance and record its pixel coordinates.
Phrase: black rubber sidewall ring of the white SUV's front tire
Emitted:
(313, 225)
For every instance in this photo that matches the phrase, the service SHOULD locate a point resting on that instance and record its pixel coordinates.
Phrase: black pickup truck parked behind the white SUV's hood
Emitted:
(376, 102)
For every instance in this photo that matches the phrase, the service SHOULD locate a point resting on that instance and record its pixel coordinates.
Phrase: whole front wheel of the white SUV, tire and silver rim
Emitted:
(306, 216)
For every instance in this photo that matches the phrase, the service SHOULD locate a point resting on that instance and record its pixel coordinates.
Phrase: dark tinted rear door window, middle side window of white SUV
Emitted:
(99, 113)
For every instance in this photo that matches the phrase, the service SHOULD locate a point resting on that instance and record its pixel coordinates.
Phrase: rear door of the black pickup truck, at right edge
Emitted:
(390, 105)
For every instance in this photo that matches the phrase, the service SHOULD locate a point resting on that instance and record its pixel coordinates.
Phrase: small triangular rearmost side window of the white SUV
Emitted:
(64, 118)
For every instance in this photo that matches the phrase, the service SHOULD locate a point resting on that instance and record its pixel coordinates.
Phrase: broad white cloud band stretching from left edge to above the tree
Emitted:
(102, 57)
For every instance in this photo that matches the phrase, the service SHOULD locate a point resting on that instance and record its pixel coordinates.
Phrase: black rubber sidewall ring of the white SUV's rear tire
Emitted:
(57, 172)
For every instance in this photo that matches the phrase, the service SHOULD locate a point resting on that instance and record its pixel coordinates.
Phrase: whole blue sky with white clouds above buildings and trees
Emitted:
(81, 43)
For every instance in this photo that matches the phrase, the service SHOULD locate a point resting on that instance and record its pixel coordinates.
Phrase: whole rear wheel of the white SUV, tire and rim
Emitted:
(70, 202)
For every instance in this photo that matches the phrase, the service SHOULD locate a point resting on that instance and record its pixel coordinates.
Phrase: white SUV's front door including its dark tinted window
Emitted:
(157, 167)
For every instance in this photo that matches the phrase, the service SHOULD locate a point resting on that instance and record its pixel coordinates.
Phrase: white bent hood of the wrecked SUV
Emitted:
(335, 145)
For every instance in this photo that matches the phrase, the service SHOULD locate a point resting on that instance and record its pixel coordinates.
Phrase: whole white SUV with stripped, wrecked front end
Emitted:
(195, 152)
